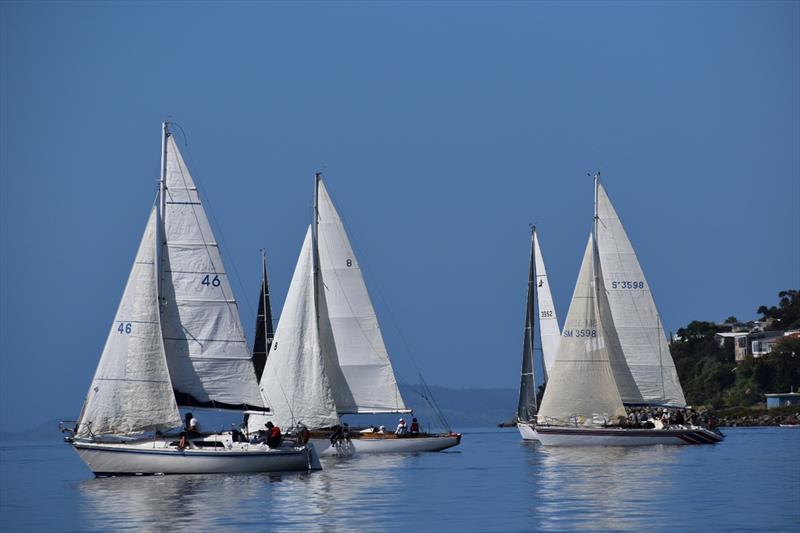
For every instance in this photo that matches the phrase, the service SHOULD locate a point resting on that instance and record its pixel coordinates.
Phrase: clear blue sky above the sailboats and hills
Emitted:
(443, 129)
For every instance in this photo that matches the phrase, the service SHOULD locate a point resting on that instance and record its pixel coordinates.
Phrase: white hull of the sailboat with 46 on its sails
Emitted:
(159, 457)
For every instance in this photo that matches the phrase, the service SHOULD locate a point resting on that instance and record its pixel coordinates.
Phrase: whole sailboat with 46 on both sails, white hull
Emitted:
(176, 340)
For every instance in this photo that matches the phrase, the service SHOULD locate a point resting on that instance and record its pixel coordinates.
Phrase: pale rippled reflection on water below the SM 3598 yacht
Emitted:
(603, 488)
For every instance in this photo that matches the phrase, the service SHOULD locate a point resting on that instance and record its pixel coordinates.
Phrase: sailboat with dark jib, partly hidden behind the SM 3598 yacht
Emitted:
(538, 289)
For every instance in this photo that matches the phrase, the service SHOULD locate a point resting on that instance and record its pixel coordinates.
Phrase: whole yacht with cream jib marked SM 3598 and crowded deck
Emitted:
(612, 351)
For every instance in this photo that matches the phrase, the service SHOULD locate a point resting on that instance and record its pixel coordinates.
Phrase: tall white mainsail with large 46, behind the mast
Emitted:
(207, 353)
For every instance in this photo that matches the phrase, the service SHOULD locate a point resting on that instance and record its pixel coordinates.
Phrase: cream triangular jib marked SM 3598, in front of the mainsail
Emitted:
(582, 382)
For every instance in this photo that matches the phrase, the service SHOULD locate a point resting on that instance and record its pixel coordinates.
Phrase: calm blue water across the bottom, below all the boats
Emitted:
(494, 482)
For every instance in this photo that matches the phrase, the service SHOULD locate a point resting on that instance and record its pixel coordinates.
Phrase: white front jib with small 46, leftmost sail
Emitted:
(131, 391)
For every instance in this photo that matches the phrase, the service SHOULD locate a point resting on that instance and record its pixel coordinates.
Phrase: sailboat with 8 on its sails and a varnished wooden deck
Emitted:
(328, 358)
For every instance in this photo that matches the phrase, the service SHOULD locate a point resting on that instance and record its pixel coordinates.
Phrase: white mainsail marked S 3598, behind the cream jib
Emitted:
(636, 319)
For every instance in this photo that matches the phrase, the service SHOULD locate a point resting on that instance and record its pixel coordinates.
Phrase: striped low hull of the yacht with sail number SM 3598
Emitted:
(577, 436)
